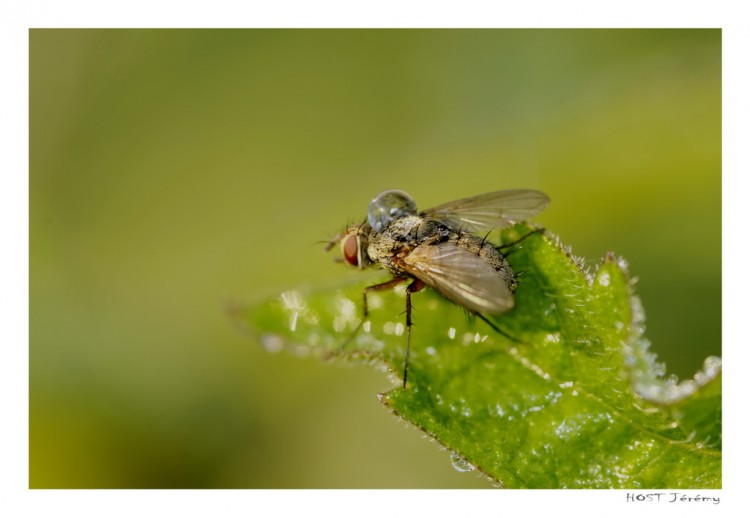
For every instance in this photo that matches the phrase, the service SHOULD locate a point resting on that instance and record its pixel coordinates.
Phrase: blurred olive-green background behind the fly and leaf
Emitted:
(173, 169)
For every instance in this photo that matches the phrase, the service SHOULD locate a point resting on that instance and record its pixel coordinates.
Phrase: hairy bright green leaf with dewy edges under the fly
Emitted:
(567, 395)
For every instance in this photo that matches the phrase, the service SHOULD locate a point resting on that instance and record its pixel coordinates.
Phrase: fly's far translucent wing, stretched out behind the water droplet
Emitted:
(490, 210)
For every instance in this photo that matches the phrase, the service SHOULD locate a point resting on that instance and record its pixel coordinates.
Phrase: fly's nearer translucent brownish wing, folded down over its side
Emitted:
(460, 276)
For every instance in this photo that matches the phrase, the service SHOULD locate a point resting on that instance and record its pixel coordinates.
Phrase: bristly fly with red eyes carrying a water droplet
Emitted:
(440, 248)
